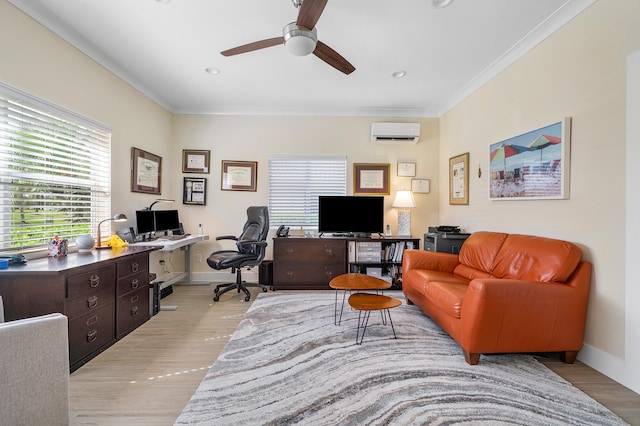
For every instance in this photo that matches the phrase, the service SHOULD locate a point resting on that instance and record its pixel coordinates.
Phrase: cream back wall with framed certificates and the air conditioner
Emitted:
(255, 138)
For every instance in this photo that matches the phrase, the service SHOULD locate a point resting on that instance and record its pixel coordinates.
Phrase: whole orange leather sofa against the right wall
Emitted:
(503, 294)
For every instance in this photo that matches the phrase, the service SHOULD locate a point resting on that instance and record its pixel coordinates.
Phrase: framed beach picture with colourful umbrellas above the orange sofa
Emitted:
(533, 165)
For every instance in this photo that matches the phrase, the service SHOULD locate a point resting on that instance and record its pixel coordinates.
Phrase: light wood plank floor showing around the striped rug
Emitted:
(148, 377)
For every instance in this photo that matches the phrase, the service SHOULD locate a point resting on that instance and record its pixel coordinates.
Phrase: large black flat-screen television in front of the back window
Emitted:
(351, 214)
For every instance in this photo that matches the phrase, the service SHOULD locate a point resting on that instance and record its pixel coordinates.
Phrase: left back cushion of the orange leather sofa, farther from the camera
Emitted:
(479, 251)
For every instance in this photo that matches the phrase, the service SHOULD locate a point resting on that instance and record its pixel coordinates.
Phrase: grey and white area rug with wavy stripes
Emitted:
(287, 363)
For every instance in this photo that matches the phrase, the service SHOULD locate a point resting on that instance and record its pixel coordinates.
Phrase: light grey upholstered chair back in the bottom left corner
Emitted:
(34, 367)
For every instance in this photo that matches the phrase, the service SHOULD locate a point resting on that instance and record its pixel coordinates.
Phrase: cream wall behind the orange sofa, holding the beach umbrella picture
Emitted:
(580, 72)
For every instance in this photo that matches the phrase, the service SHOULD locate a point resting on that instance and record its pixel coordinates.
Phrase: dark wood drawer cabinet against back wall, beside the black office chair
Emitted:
(307, 263)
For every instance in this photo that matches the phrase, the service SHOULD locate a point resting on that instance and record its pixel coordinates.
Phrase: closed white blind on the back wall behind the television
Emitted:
(295, 184)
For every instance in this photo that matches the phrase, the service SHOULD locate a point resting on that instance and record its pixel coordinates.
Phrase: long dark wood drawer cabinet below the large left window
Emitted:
(103, 293)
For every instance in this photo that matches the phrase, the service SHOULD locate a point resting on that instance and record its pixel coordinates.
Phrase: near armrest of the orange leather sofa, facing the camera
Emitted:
(513, 315)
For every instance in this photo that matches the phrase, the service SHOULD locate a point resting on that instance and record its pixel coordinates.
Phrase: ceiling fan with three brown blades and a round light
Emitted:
(301, 38)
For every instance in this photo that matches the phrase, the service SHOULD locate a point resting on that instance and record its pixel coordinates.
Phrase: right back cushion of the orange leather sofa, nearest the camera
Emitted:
(531, 258)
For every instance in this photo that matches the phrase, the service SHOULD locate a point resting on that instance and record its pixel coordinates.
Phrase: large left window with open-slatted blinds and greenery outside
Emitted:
(55, 172)
